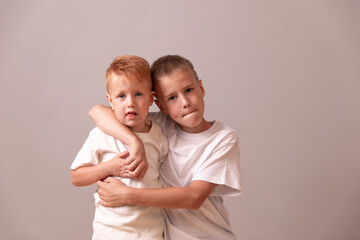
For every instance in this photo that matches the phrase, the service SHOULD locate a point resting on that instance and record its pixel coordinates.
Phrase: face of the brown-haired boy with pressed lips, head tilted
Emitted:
(182, 97)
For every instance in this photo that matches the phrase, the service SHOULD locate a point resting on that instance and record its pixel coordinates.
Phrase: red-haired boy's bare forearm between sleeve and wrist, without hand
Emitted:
(85, 176)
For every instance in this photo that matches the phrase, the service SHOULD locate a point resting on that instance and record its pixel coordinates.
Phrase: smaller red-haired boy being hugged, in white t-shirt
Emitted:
(130, 96)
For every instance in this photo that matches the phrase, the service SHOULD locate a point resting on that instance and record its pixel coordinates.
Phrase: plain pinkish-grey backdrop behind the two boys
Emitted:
(284, 74)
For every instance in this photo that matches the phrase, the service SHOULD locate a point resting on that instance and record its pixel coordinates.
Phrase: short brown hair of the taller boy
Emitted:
(166, 65)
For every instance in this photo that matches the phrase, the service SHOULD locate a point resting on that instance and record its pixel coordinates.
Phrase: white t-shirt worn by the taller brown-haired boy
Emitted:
(211, 156)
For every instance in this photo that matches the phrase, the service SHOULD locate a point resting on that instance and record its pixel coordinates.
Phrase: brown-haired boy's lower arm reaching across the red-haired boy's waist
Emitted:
(114, 193)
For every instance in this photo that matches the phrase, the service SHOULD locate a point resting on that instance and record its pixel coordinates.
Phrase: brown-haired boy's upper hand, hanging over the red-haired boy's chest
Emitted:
(137, 161)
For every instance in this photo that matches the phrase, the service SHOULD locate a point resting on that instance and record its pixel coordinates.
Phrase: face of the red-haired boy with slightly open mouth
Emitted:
(130, 101)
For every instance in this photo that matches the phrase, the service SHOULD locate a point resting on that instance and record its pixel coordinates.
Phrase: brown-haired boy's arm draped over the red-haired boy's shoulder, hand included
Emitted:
(106, 120)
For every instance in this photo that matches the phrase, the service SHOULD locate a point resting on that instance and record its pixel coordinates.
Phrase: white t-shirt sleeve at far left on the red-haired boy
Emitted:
(87, 156)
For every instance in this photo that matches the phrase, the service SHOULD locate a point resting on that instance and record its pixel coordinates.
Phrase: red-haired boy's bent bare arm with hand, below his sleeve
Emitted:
(87, 175)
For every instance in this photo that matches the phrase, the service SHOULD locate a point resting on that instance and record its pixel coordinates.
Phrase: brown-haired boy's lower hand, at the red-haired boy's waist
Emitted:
(111, 192)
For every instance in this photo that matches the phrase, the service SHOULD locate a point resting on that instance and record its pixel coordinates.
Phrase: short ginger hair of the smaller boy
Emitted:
(129, 66)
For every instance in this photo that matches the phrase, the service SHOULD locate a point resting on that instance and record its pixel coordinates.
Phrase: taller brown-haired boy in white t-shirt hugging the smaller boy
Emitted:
(202, 163)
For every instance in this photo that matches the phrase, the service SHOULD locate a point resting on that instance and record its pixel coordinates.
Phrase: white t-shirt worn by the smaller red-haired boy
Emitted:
(129, 221)
